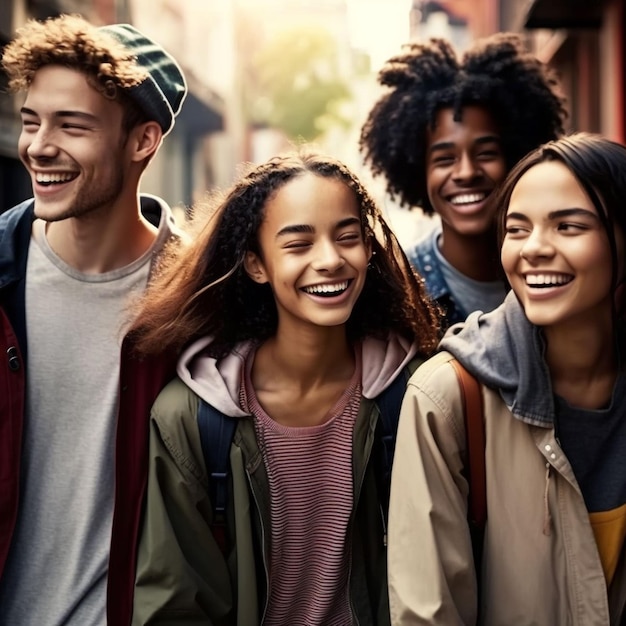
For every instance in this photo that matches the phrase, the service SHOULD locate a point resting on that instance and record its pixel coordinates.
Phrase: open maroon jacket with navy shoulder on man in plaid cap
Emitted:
(140, 382)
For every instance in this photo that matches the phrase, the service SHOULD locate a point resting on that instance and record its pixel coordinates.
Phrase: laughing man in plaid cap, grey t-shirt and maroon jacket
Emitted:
(74, 400)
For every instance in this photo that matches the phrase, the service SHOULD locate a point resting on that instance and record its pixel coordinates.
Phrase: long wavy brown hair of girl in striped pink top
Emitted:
(203, 289)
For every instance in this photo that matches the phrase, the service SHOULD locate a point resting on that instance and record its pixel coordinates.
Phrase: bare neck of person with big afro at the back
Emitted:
(474, 256)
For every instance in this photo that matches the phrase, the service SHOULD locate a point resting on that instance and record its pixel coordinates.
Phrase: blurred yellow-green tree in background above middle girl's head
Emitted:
(294, 83)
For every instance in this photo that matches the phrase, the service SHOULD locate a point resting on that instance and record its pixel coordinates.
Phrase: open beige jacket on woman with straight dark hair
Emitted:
(540, 565)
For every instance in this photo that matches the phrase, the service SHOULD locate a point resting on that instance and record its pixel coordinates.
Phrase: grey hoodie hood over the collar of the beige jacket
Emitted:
(504, 351)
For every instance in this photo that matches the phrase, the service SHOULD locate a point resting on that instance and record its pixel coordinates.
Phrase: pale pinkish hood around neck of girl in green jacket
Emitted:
(218, 382)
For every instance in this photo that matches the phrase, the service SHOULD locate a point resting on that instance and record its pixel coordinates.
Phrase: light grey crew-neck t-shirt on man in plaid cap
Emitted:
(56, 572)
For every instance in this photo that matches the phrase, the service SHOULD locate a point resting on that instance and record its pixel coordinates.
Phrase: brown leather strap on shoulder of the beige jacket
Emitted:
(475, 431)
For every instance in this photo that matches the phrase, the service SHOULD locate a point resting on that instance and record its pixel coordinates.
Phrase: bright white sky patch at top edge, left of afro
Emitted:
(379, 26)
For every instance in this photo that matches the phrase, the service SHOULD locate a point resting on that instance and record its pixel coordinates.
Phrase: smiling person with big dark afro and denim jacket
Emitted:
(444, 135)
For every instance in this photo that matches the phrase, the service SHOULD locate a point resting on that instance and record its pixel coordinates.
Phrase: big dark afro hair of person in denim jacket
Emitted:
(518, 90)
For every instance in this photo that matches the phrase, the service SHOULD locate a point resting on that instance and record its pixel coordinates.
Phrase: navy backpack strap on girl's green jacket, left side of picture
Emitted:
(216, 435)
